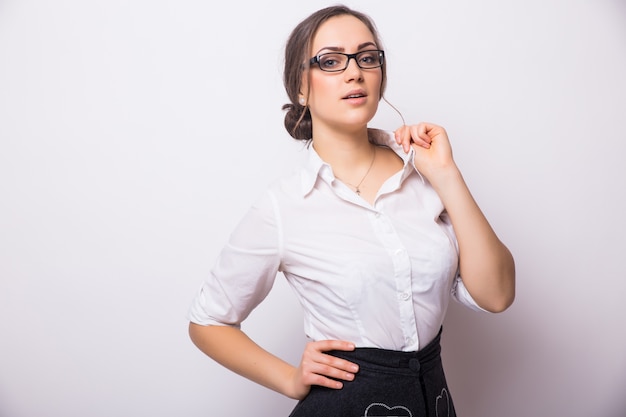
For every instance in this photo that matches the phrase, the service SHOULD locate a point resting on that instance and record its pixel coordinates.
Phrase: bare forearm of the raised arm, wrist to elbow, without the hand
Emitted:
(486, 265)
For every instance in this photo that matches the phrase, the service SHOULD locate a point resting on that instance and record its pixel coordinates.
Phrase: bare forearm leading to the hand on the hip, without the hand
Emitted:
(233, 349)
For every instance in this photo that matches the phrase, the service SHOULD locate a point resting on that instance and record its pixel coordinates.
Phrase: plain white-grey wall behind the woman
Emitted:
(134, 134)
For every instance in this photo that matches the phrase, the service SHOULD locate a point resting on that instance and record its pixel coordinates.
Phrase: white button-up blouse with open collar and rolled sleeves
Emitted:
(378, 276)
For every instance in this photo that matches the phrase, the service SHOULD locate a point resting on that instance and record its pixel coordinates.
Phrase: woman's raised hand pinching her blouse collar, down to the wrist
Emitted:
(432, 147)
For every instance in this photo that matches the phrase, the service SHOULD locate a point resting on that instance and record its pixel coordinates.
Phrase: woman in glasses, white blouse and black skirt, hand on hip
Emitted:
(374, 234)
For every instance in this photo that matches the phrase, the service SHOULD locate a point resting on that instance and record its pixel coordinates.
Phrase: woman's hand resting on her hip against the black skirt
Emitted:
(319, 368)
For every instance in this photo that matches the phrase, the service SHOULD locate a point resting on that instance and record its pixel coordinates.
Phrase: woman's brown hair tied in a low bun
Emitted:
(298, 118)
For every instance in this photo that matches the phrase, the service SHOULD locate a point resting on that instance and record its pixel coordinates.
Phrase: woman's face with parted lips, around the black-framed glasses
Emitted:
(345, 100)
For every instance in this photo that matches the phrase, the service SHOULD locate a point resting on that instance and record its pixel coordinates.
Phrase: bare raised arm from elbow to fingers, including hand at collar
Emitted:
(486, 265)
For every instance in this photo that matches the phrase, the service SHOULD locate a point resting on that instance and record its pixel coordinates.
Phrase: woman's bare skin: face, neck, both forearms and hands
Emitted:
(340, 138)
